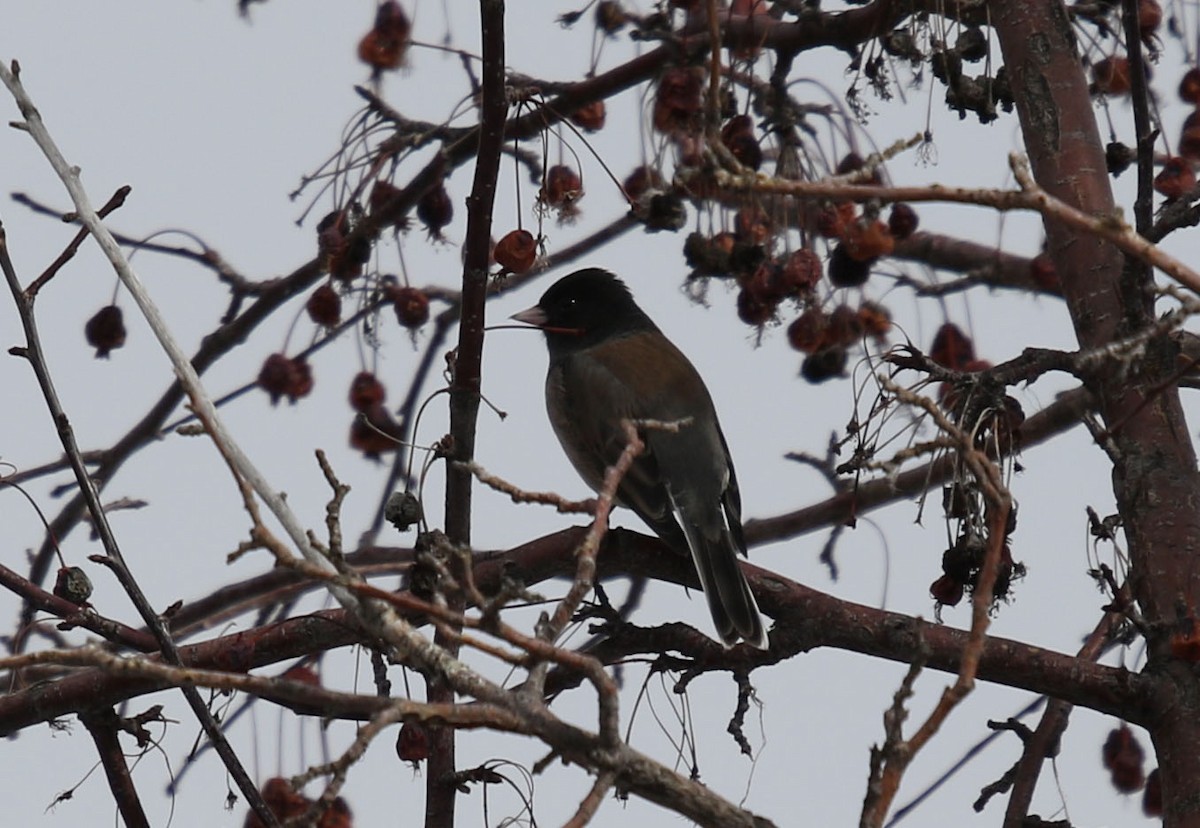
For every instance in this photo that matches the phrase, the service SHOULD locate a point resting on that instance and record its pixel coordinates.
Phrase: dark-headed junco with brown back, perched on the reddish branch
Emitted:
(609, 363)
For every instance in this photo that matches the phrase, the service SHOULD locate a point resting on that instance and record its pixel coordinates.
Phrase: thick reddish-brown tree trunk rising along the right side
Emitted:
(1155, 476)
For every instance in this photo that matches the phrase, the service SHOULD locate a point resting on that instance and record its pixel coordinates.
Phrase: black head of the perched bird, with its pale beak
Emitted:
(585, 309)
